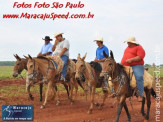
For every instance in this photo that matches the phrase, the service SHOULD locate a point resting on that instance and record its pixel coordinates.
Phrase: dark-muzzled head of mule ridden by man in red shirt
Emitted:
(109, 65)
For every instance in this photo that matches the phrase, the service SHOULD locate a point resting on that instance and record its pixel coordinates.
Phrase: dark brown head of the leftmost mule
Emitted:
(20, 64)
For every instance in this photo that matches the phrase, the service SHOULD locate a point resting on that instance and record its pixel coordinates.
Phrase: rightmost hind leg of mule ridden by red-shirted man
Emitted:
(148, 96)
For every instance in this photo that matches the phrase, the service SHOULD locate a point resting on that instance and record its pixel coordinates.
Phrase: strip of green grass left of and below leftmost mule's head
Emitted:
(6, 72)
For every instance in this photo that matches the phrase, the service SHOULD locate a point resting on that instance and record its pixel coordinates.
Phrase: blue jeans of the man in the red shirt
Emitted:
(139, 72)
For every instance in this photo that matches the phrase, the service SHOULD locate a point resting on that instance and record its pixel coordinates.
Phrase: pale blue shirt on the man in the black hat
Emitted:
(46, 48)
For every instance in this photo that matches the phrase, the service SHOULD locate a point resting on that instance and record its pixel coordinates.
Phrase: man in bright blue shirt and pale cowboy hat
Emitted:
(100, 58)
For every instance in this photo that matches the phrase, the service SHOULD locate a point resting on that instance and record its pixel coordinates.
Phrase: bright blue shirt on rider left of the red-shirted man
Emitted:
(99, 52)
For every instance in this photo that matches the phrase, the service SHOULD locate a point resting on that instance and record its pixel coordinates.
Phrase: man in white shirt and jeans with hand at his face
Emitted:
(61, 48)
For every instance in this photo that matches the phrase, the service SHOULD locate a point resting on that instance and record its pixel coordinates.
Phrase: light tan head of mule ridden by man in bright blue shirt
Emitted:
(80, 67)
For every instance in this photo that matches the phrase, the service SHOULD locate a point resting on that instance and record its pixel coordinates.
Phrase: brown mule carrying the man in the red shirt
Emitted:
(122, 88)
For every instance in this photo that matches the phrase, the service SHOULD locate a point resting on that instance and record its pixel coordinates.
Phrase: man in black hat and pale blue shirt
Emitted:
(46, 48)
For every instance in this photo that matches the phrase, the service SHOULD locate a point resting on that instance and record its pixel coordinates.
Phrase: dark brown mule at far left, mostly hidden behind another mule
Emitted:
(19, 66)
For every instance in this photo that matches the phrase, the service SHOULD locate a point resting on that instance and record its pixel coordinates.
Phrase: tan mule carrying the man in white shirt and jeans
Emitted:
(45, 66)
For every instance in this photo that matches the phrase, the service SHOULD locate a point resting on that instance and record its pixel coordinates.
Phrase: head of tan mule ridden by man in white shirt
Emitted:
(32, 67)
